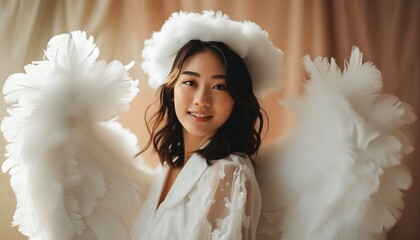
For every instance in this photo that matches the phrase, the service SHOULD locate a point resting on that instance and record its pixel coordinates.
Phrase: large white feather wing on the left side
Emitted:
(71, 163)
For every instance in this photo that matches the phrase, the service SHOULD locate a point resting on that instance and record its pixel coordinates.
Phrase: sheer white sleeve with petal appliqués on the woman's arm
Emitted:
(225, 203)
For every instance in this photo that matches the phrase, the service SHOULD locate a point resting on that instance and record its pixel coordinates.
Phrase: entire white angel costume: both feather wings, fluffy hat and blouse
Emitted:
(338, 174)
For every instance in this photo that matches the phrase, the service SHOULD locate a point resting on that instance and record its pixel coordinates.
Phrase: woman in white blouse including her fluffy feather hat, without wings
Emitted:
(207, 128)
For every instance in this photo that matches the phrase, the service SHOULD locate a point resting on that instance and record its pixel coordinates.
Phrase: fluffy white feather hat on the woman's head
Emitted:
(247, 39)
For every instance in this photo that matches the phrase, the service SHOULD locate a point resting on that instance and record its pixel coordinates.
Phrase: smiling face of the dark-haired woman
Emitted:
(202, 102)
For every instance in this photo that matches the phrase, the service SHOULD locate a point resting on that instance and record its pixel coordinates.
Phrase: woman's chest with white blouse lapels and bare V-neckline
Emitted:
(166, 208)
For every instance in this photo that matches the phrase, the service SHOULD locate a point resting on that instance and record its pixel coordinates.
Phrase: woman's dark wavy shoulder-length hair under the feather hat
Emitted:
(241, 133)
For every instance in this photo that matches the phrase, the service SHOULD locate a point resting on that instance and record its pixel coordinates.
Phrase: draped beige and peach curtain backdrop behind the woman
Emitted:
(387, 32)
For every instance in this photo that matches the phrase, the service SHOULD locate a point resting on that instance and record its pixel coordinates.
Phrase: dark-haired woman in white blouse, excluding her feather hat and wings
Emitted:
(205, 132)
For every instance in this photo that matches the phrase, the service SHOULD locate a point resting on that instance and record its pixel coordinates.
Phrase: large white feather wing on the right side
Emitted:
(339, 171)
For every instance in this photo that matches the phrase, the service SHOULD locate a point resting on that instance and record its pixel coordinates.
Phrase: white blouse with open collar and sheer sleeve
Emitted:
(221, 201)
